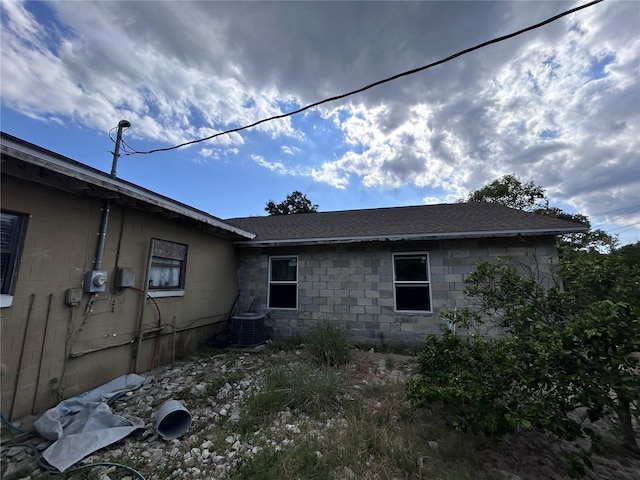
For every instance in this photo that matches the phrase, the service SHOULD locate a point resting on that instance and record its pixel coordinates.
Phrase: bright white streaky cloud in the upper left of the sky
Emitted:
(165, 85)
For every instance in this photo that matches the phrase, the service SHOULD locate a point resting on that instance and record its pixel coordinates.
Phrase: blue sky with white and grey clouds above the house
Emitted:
(558, 106)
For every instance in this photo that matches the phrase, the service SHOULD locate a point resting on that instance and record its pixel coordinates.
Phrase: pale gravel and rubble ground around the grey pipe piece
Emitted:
(210, 448)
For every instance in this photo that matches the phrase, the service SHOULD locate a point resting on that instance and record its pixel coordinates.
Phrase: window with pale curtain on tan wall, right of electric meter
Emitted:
(167, 269)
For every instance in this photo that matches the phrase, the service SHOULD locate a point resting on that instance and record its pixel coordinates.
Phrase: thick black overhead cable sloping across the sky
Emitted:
(375, 84)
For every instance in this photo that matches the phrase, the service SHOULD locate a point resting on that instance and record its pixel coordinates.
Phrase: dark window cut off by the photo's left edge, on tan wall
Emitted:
(12, 229)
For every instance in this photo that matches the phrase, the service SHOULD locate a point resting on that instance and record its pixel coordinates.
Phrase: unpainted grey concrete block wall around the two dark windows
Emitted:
(353, 284)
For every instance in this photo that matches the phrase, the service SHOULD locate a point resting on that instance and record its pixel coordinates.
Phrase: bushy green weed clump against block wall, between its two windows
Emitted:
(329, 344)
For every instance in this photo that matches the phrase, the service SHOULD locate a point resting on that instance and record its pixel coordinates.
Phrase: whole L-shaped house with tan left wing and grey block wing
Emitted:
(101, 277)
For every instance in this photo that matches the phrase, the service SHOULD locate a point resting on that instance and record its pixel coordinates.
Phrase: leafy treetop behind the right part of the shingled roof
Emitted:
(510, 192)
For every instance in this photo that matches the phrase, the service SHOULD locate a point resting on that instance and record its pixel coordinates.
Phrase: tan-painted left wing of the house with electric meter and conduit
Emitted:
(167, 279)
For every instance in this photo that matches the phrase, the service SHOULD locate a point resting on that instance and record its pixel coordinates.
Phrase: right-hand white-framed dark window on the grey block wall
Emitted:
(411, 282)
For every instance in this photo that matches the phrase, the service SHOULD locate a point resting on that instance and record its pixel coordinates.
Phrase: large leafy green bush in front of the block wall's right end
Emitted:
(559, 356)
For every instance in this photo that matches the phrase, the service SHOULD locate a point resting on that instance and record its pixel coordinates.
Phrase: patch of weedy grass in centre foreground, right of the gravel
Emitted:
(378, 435)
